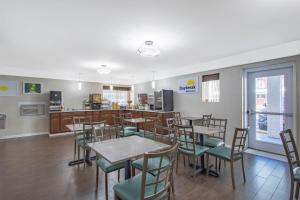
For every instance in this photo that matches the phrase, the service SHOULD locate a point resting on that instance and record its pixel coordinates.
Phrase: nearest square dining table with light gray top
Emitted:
(126, 149)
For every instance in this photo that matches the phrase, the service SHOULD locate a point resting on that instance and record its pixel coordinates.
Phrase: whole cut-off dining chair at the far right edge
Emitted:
(292, 155)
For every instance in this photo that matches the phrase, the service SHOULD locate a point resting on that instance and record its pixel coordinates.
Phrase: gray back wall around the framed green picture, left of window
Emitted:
(18, 125)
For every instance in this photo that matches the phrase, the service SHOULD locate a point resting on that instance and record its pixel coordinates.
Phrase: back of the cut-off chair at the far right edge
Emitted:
(290, 149)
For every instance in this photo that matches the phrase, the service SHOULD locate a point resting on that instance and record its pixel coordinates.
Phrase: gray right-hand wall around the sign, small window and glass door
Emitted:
(231, 94)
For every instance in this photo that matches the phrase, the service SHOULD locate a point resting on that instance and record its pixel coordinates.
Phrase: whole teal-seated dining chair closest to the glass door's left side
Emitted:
(233, 154)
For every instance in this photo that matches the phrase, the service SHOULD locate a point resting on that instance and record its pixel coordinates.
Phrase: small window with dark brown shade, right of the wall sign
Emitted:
(211, 88)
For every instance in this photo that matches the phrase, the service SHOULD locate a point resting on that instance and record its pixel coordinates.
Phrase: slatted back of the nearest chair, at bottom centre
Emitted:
(160, 185)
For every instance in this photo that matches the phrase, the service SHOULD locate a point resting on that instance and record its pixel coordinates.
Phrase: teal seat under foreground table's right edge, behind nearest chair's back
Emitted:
(153, 164)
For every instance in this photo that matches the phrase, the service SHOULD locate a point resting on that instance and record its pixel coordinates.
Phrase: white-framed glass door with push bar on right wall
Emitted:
(269, 94)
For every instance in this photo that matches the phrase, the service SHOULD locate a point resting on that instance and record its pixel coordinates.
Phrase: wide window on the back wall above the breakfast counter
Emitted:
(119, 95)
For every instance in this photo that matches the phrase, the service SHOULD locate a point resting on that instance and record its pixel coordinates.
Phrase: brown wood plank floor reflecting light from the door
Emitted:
(35, 168)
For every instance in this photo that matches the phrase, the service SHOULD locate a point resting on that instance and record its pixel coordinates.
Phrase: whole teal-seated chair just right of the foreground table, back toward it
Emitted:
(188, 146)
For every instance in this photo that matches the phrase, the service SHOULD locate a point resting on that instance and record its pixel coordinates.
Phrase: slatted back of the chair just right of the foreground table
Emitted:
(186, 138)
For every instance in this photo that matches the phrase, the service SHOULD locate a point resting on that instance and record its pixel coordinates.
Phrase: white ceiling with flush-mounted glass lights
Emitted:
(62, 38)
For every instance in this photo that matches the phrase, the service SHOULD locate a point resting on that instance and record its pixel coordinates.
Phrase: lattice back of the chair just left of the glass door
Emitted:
(239, 141)
